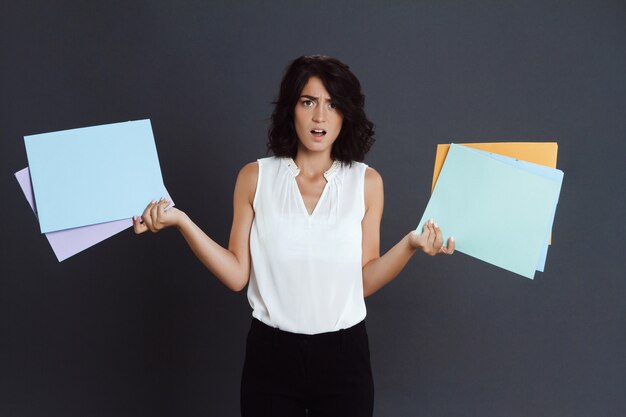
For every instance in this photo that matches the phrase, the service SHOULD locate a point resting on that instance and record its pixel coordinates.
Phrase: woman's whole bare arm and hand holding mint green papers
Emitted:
(380, 270)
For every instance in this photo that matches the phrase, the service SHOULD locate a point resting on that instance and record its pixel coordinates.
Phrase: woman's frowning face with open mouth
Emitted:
(316, 118)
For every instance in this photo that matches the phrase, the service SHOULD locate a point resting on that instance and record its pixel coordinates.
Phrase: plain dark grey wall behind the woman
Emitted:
(136, 326)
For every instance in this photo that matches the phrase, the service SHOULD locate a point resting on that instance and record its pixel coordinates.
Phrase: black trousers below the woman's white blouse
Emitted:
(295, 375)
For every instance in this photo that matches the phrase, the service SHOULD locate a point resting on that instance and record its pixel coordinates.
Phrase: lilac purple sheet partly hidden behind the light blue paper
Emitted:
(66, 243)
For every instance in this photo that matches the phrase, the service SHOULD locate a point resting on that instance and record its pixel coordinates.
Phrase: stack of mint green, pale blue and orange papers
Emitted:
(499, 209)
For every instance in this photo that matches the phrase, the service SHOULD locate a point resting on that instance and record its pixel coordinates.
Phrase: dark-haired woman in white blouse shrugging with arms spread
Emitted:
(305, 239)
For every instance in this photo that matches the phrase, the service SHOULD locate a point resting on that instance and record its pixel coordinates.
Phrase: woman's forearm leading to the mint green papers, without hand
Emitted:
(380, 271)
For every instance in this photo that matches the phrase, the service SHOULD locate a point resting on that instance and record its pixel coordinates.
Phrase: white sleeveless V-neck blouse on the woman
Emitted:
(306, 274)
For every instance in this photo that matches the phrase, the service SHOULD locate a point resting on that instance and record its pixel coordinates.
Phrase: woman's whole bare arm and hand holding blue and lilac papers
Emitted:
(231, 266)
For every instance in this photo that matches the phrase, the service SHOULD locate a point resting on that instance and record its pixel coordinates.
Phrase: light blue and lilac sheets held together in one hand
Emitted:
(86, 184)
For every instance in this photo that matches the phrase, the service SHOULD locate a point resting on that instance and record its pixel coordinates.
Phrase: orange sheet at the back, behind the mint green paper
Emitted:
(542, 153)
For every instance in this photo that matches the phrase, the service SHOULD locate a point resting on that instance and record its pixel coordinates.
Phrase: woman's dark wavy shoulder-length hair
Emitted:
(357, 132)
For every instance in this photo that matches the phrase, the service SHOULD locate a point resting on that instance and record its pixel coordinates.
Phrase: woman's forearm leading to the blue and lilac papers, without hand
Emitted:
(222, 262)
